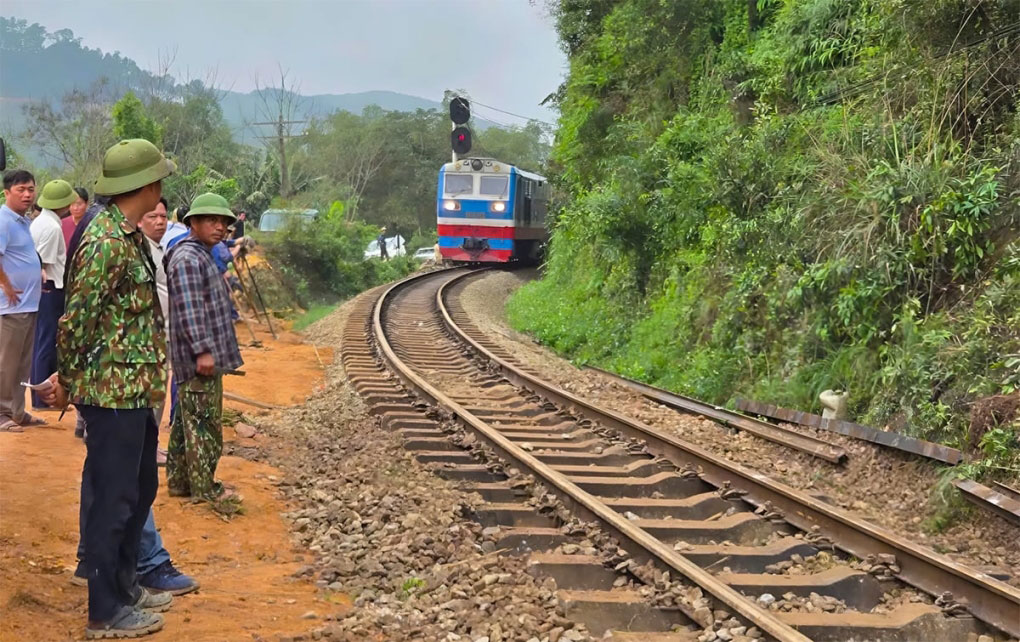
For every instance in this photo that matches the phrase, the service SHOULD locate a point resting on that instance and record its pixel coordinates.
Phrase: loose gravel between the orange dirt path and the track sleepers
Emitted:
(393, 537)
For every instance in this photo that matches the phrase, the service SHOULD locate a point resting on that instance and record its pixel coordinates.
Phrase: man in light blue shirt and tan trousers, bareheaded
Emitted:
(21, 290)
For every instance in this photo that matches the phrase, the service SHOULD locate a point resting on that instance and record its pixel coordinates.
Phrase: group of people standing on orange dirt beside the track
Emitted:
(98, 319)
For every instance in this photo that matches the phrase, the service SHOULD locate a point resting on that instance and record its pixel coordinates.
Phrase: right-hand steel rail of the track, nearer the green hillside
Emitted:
(989, 600)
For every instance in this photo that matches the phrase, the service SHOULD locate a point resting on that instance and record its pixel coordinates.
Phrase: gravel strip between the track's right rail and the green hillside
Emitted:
(884, 486)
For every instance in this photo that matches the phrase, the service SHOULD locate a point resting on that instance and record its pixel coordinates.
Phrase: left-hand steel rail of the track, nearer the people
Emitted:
(578, 501)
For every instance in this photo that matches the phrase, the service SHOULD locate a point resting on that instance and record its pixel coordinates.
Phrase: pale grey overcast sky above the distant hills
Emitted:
(503, 53)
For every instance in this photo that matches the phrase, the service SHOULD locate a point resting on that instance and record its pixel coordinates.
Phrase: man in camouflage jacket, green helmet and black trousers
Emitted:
(112, 354)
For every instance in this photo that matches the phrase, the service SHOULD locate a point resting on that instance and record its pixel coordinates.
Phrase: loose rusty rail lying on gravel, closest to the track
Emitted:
(785, 437)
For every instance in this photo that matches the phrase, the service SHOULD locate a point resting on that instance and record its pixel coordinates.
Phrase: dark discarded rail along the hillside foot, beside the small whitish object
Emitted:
(850, 429)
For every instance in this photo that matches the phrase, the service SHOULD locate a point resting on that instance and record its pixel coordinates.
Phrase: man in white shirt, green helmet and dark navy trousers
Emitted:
(47, 235)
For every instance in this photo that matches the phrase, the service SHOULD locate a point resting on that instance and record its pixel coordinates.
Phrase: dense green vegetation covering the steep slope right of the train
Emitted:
(770, 199)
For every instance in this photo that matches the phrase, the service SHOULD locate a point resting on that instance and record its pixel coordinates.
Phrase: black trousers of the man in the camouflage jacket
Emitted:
(121, 467)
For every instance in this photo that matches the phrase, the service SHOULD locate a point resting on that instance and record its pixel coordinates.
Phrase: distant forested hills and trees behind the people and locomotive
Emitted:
(362, 171)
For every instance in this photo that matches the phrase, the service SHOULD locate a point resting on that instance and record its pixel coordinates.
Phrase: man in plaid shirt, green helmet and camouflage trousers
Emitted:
(203, 347)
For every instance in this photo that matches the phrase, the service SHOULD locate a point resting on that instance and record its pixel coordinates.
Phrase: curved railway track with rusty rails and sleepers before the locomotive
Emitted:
(709, 551)
